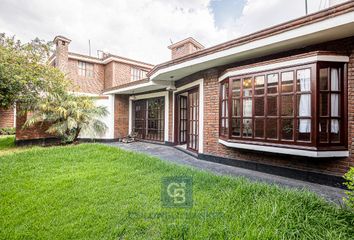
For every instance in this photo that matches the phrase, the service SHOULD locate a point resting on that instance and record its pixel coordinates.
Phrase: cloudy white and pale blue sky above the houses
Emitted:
(142, 29)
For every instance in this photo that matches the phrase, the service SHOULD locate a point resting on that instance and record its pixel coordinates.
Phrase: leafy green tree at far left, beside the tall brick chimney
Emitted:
(25, 73)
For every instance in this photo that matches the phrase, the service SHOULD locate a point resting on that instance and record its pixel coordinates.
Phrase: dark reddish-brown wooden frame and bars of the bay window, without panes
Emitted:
(295, 142)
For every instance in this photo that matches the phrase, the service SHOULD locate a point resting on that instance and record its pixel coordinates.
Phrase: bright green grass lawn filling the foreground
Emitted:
(92, 191)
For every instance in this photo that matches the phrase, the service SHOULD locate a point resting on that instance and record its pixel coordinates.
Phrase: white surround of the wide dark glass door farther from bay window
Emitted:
(147, 96)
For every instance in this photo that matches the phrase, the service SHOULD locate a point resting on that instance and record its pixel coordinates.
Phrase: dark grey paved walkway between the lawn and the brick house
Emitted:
(174, 155)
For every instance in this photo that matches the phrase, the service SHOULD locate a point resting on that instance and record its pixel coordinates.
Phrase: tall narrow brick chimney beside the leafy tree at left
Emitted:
(61, 52)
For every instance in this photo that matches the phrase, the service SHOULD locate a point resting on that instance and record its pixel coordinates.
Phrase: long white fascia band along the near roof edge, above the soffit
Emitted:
(288, 36)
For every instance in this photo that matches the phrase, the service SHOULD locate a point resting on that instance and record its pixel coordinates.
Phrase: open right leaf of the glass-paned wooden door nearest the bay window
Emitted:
(193, 120)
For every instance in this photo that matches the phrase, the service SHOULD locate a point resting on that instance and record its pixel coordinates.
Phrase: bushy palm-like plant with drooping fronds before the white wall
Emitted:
(68, 115)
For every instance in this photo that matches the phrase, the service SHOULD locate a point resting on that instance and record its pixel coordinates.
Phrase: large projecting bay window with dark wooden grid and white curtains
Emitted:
(300, 107)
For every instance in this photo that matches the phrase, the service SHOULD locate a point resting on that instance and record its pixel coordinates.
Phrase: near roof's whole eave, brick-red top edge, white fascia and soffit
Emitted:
(331, 24)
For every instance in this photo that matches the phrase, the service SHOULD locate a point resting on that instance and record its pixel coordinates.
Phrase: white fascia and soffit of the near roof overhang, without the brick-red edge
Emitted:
(336, 27)
